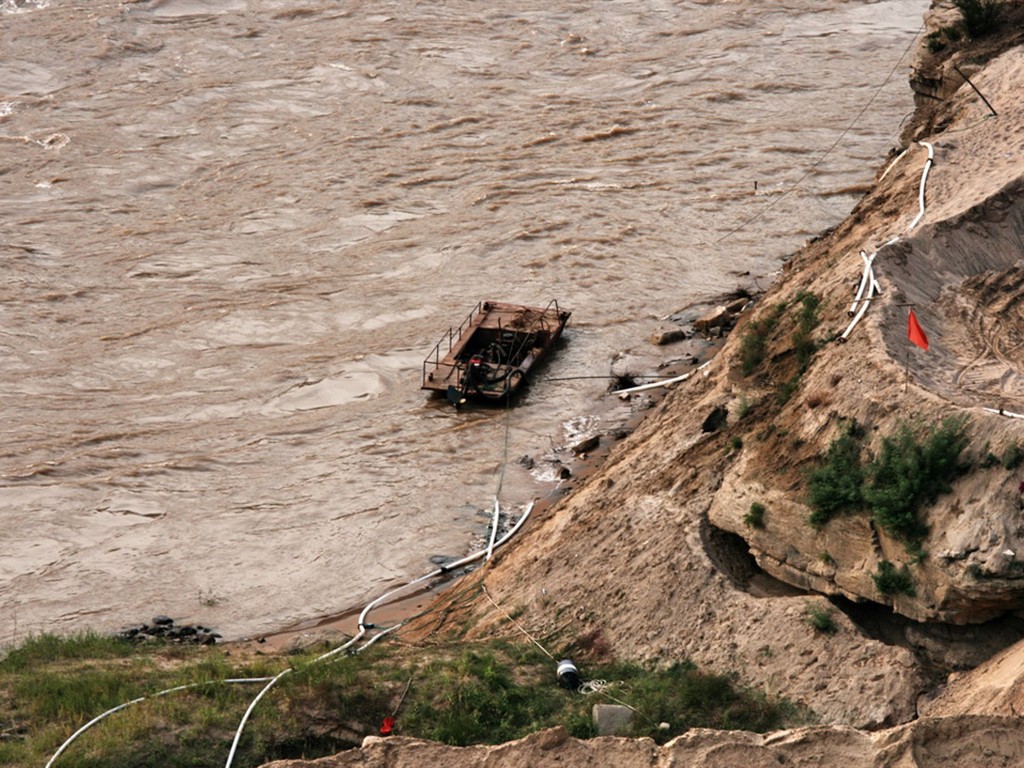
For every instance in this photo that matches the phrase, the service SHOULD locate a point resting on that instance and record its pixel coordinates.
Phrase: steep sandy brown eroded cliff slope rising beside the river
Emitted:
(654, 551)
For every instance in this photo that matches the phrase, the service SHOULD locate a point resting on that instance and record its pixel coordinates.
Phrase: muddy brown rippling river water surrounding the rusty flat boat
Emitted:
(234, 229)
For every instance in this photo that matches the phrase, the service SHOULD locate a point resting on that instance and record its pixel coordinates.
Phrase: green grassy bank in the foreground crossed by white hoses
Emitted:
(460, 695)
